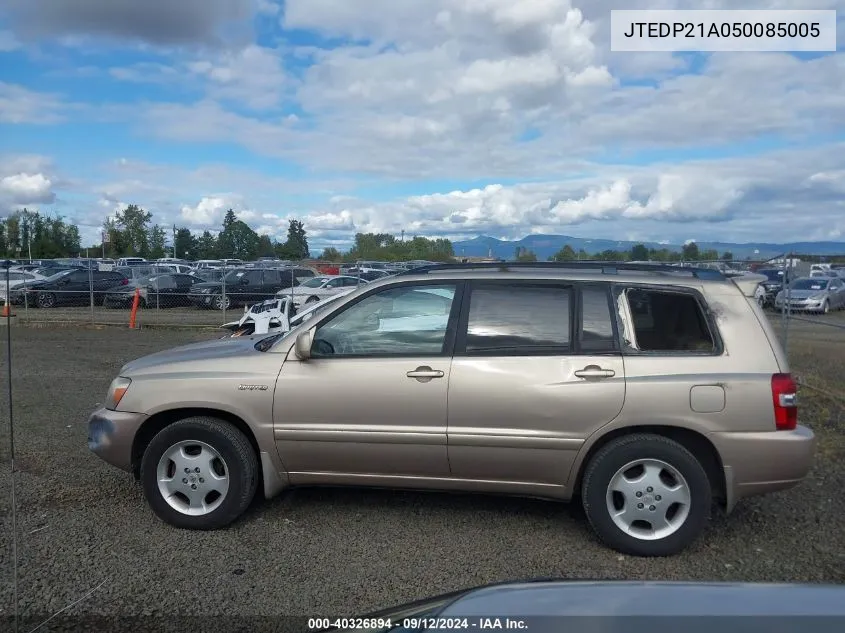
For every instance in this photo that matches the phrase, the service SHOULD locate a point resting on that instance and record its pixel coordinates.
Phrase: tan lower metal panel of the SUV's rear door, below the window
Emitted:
(525, 418)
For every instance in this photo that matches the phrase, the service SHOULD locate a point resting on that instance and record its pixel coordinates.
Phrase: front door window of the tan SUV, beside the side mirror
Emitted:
(403, 321)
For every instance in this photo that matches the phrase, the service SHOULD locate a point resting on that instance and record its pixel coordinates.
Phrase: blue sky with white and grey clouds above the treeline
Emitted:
(452, 118)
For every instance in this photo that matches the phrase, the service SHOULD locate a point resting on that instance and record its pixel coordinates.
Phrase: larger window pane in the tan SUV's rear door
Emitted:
(519, 319)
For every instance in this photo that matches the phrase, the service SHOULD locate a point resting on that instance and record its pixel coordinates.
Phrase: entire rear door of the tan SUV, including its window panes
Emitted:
(536, 371)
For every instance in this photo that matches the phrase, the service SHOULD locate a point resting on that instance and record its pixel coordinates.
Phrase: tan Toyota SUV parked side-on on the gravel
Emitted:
(647, 391)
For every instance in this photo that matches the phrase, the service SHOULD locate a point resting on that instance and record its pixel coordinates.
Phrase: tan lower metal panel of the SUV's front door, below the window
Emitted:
(364, 416)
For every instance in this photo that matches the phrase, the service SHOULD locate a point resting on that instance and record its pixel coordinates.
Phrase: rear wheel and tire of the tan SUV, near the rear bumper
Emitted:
(689, 518)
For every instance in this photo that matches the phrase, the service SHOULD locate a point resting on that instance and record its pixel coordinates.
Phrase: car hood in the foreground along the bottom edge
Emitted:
(633, 607)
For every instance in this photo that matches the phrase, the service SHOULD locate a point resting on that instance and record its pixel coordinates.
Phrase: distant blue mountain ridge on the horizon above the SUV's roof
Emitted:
(545, 246)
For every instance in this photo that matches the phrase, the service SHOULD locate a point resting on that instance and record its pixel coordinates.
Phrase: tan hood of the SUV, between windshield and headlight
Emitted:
(199, 354)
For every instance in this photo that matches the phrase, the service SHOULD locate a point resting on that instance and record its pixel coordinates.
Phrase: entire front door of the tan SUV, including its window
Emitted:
(353, 408)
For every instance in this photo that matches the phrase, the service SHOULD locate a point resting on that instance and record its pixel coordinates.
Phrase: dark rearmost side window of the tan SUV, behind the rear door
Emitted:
(666, 321)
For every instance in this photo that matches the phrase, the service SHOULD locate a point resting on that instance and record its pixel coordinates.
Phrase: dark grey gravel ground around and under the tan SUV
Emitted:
(83, 524)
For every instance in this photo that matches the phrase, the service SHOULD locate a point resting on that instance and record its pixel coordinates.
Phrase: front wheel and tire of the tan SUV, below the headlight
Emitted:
(239, 467)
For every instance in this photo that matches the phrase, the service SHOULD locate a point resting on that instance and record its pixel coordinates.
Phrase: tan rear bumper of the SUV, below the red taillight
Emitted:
(759, 463)
